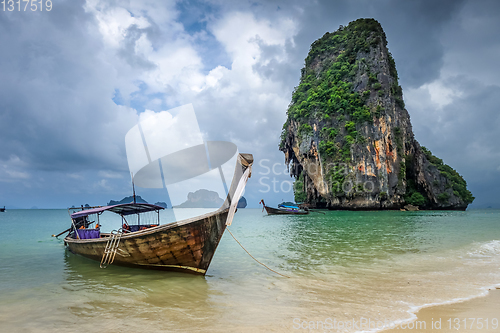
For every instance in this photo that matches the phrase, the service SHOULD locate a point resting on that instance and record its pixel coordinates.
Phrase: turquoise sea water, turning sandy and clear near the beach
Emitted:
(342, 265)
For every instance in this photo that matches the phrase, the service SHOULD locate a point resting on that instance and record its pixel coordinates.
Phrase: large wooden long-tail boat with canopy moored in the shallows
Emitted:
(187, 246)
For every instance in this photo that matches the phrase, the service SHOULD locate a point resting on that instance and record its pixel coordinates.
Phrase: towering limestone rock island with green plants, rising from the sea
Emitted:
(348, 137)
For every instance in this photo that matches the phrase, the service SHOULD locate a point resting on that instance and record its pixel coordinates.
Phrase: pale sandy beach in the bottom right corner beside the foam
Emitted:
(480, 314)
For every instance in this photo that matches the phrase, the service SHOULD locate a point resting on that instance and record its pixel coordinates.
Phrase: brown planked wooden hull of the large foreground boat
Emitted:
(186, 246)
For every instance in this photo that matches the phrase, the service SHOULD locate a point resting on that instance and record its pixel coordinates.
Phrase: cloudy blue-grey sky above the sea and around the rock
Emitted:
(75, 79)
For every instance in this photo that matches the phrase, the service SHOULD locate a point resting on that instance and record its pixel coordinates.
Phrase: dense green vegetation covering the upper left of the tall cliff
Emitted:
(327, 93)
